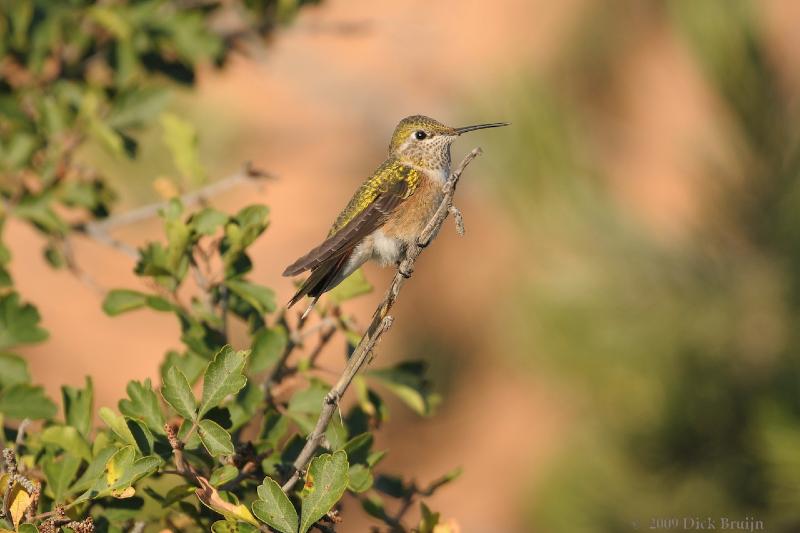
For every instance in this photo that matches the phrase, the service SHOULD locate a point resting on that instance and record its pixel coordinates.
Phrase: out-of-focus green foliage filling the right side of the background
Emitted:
(685, 354)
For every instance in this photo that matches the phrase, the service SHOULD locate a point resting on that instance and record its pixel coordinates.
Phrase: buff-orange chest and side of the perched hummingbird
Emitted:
(411, 216)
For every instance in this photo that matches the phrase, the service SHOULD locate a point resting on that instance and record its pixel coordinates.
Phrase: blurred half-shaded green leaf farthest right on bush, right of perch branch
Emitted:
(407, 381)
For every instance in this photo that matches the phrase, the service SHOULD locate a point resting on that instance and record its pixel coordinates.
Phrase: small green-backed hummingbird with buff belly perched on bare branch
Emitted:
(388, 211)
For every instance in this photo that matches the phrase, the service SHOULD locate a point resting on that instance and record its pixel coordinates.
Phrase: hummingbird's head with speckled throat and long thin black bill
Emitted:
(425, 143)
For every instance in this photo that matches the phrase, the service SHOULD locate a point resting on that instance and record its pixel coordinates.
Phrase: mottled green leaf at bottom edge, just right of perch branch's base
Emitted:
(325, 483)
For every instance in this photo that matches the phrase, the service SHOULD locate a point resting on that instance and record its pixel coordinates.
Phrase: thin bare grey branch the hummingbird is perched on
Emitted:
(380, 321)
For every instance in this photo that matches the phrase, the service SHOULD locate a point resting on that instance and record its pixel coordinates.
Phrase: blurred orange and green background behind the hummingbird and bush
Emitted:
(615, 337)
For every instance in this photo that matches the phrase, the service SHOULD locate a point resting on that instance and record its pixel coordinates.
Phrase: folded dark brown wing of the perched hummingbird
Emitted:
(342, 242)
